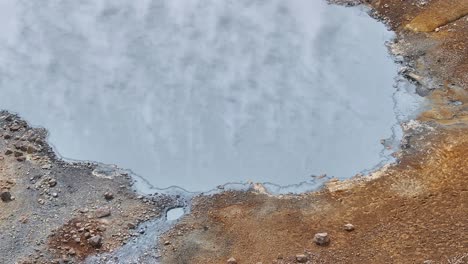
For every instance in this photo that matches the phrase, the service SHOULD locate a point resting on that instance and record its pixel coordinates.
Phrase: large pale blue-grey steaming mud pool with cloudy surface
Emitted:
(199, 93)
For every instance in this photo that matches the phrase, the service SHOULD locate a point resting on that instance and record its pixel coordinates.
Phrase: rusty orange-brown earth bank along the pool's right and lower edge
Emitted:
(413, 211)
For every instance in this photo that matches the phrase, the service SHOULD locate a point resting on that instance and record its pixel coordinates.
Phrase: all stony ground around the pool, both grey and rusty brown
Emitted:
(414, 211)
